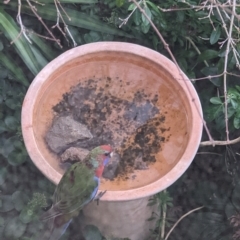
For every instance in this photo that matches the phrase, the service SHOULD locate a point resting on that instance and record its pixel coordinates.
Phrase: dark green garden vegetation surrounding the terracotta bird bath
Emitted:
(211, 181)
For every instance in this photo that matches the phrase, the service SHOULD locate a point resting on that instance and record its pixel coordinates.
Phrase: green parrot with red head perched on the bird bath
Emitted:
(77, 187)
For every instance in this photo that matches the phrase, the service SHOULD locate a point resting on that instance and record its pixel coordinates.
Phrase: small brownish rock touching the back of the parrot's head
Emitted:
(74, 154)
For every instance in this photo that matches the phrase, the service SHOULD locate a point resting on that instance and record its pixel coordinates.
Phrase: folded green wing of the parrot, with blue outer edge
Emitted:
(77, 187)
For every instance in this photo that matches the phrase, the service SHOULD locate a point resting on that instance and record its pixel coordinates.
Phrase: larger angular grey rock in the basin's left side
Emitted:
(64, 131)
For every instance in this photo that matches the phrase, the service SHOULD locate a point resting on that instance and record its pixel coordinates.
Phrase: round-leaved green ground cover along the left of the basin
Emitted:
(14, 202)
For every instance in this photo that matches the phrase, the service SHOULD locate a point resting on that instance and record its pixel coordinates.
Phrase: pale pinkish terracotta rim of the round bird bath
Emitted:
(143, 52)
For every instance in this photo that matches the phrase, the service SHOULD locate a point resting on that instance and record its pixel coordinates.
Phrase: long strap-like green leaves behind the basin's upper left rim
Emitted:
(37, 54)
